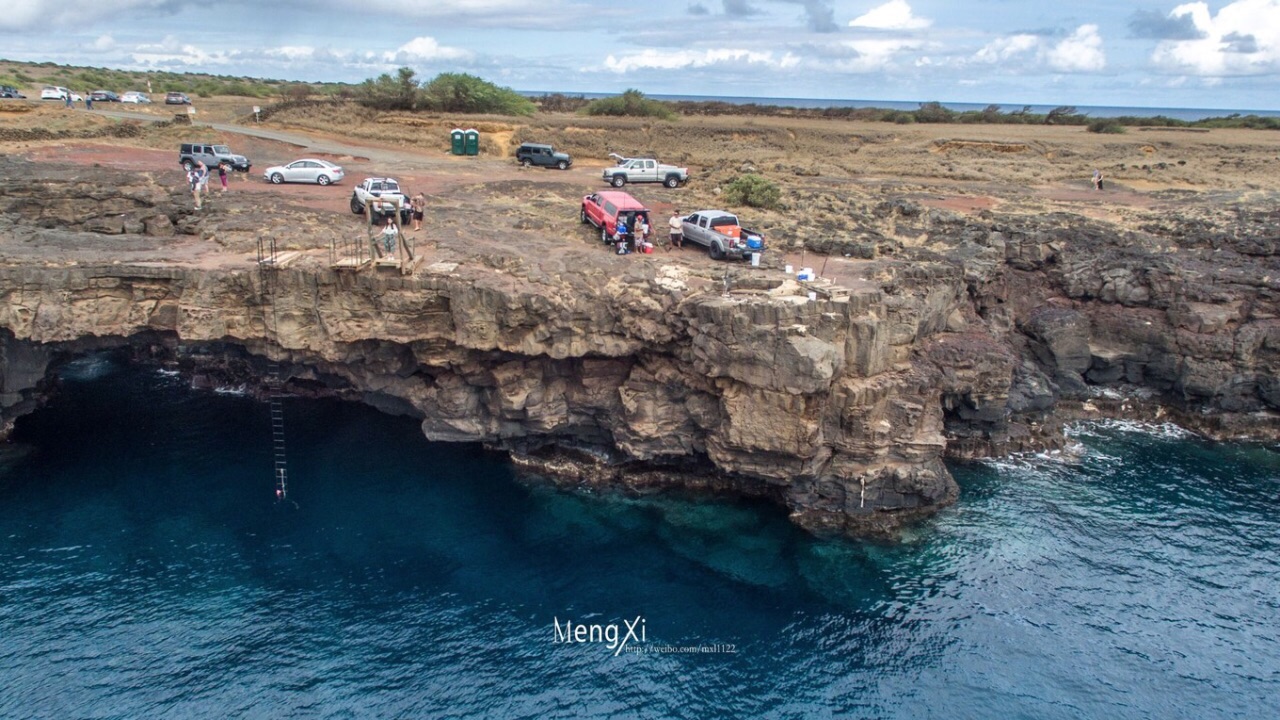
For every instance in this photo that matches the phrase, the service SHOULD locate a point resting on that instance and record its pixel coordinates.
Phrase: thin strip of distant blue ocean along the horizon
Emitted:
(812, 103)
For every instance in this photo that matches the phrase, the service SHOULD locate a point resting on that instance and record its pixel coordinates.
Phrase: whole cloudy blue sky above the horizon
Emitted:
(1144, 53)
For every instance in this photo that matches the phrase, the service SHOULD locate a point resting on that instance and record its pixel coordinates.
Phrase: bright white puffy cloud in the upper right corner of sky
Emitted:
(1242, 40)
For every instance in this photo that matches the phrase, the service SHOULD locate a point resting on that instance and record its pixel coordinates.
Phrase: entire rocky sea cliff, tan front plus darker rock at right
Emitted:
(976, 343)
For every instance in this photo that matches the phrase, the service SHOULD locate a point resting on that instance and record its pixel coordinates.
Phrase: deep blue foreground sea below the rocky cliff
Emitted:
(147, 573)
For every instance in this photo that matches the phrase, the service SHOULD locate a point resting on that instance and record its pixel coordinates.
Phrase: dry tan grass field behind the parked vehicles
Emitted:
(839, 179)
